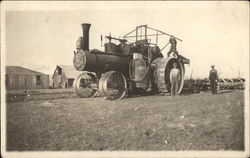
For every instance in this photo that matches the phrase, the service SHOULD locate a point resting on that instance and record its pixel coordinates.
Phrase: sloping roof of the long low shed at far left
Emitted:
(18, 70)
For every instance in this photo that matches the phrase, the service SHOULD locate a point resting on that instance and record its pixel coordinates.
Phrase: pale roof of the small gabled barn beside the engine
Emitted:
(69, 71)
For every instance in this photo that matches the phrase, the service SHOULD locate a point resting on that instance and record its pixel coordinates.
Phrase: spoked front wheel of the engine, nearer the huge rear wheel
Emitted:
(113, 85)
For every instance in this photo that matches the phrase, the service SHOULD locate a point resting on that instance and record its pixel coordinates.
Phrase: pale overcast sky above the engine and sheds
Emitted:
(43, 36)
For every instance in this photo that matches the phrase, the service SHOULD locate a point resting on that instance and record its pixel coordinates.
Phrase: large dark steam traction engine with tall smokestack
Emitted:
(126, 67)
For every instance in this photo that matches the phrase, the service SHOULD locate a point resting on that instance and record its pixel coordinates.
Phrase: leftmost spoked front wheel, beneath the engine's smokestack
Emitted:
(86, 85)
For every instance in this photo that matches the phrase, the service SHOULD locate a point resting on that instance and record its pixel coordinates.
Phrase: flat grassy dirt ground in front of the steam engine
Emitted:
(190, 122)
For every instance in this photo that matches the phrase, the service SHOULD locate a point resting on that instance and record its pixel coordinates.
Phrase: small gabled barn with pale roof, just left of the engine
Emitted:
(64, 76)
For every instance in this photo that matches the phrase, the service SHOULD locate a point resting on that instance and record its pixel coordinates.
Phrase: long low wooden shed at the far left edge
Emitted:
(21, 78)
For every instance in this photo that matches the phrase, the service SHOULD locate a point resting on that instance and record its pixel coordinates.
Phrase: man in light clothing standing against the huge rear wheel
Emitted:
(174, 80)
